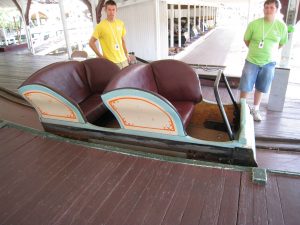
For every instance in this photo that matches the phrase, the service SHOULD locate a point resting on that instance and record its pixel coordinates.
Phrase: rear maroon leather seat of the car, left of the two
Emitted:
(82, 83)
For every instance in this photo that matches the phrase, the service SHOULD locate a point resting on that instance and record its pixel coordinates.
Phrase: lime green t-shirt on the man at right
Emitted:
(275, 34)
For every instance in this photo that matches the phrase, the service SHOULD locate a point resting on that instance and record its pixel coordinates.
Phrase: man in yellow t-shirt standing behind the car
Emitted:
(110, 32)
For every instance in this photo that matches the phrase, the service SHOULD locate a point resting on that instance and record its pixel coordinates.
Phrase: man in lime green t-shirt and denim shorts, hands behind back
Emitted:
(263, 37)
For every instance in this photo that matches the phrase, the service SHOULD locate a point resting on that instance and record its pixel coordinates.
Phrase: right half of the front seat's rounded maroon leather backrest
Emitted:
(176, 81)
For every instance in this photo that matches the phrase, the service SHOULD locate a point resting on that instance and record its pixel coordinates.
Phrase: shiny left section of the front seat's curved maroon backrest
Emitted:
(134, 76)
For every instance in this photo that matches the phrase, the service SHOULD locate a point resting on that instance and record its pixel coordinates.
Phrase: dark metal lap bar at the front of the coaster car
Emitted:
(221, 107)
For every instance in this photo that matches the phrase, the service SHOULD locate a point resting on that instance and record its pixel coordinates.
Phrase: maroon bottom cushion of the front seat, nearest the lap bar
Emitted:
(185, 110)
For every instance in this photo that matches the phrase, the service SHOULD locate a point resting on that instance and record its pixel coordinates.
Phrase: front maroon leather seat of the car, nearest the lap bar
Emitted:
(171, 79)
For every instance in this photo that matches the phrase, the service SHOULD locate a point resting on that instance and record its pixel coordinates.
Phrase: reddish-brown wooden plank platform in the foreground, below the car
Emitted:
(46, 181)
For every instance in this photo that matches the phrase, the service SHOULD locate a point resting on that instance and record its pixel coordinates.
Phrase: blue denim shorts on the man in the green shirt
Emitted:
(260, 76)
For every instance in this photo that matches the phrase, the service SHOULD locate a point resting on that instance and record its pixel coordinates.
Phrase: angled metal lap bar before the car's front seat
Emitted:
(219, 102)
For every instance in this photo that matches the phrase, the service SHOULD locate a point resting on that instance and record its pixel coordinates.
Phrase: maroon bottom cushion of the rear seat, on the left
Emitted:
(93, 107)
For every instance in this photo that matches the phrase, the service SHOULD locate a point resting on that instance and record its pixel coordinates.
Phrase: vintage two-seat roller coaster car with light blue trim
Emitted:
(158, 105)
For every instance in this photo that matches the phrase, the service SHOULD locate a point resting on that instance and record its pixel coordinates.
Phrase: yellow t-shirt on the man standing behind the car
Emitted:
(110, 36)
